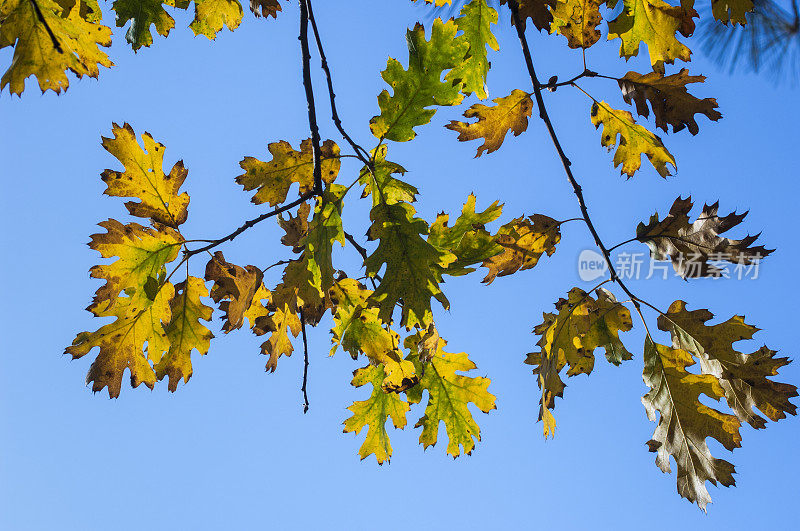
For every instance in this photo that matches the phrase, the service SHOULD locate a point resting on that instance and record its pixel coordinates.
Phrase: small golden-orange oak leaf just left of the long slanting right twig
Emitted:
(510, 113)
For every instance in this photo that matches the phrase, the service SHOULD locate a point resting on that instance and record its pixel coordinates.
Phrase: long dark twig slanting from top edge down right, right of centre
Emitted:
(537, 88)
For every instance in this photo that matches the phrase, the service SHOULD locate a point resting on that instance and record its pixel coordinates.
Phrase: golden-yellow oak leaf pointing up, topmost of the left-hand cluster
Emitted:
(144, 178)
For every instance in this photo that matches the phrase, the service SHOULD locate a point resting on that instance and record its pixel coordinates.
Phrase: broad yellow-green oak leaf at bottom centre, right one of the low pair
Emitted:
(449, 396)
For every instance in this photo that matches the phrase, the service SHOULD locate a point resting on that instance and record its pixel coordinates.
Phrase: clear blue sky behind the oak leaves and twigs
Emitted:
(232, 448)
